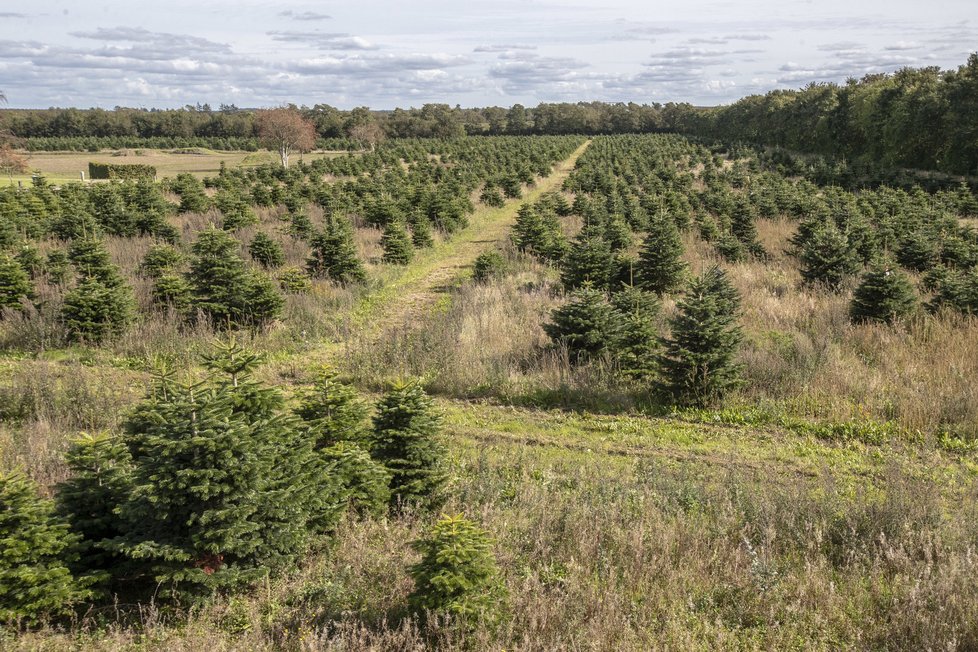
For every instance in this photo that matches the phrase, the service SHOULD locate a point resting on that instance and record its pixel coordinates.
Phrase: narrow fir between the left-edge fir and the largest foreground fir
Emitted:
(100, 482)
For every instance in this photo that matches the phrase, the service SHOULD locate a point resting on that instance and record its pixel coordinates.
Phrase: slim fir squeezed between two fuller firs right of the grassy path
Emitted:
(636, 345)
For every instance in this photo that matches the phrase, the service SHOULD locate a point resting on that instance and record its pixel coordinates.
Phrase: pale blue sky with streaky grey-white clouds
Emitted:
(384, 54)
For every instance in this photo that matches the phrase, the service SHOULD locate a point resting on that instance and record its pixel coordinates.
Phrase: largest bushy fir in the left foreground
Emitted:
(225, 483)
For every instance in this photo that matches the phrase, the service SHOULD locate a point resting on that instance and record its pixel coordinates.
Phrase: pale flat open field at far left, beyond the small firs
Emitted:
(64, 166)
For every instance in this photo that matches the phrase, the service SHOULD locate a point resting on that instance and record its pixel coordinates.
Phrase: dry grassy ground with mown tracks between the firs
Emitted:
(826, 503)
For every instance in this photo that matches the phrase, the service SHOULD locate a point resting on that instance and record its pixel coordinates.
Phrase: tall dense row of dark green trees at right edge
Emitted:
(924, 118)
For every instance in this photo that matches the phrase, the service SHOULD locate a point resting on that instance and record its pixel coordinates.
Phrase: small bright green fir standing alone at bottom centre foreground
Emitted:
(457, 575)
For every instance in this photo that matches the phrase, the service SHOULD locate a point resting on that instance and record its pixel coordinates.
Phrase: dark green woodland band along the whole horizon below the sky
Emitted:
(921, 118)
